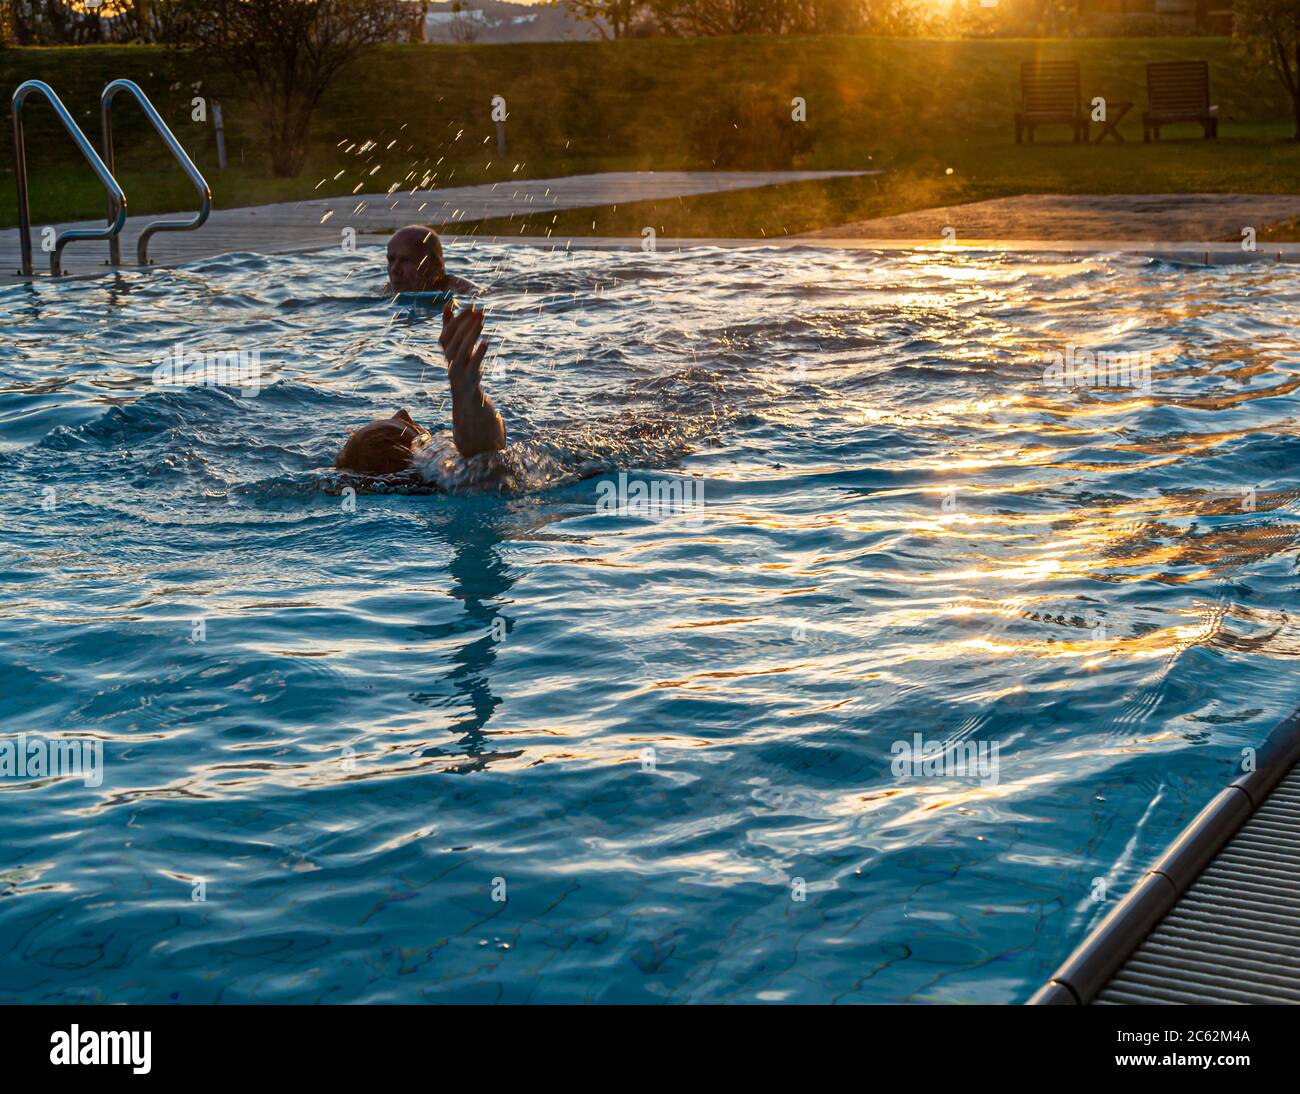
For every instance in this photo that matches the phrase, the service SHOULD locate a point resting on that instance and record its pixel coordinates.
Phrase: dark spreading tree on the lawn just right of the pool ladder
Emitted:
(289, 53)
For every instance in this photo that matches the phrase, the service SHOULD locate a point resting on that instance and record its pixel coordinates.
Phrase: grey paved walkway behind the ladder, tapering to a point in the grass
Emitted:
(318, 224)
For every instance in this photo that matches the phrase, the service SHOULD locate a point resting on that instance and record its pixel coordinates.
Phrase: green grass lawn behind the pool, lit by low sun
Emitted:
(915, 107)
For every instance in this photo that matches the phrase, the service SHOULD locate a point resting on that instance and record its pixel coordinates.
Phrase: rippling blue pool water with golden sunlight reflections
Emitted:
(649, 732)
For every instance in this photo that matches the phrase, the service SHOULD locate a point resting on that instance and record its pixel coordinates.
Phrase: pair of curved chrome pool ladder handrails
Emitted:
(105, 171)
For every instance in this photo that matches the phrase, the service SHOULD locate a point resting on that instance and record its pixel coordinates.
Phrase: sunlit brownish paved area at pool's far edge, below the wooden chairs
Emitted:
(1138, 218)
